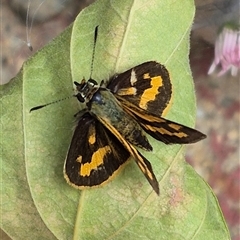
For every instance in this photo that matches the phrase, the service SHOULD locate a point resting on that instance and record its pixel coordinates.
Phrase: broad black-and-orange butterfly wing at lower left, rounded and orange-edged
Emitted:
(95, 154)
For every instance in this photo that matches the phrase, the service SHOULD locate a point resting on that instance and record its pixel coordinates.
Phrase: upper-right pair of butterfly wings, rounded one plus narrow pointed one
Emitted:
(145, 93)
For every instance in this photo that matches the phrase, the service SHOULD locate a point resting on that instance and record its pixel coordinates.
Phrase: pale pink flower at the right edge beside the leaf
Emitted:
(227, 51)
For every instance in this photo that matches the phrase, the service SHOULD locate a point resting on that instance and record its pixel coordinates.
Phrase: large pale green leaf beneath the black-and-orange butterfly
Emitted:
(37, 203)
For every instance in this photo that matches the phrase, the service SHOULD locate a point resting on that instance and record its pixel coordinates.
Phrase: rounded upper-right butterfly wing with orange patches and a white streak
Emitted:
(147, 85)
